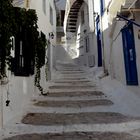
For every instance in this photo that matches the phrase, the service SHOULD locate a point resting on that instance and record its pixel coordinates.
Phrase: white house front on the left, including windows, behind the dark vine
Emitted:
(18, 90)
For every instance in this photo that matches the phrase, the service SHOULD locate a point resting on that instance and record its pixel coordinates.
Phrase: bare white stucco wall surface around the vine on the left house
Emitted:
(21, 89)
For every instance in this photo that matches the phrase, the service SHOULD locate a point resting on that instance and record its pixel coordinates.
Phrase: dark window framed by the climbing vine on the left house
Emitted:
(23, 61)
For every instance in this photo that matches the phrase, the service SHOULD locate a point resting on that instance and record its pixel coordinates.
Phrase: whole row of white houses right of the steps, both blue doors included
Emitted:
(105, 33)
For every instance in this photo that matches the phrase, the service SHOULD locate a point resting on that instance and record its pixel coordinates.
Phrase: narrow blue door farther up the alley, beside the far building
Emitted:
(99, 44)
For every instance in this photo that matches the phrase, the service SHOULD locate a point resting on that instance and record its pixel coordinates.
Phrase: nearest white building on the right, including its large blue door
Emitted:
(120, 22)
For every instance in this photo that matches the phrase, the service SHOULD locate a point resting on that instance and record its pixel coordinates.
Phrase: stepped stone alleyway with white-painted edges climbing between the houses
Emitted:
(74, 109)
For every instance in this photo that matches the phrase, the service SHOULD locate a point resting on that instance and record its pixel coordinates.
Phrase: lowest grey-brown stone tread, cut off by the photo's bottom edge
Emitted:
(76, 136)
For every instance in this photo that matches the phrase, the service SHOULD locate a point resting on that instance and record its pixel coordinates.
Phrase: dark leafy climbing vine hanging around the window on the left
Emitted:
(15, 22)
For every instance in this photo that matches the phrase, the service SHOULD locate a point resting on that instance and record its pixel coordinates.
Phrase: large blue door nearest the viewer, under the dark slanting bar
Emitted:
(129, 55)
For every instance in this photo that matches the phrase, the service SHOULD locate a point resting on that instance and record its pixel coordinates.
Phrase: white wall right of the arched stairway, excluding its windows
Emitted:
(84, 31)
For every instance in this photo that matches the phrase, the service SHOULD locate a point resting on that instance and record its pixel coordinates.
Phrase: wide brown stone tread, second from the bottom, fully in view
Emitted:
(80, 118)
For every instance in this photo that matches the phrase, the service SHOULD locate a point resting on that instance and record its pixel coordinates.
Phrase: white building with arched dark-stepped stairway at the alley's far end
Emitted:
(79, 31)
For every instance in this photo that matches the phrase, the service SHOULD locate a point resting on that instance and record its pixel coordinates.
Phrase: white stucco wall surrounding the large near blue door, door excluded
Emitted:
(117, 57)
